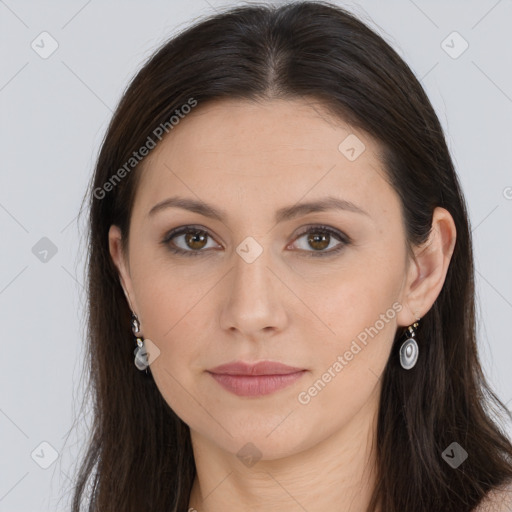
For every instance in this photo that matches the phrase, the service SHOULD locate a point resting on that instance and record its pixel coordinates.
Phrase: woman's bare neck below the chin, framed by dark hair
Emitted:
(335, 474)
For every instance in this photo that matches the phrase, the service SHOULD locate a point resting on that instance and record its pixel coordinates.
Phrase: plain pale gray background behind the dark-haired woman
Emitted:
(54, 112)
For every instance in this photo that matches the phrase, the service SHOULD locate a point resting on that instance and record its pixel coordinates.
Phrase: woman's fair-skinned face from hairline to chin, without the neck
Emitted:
(265, 281)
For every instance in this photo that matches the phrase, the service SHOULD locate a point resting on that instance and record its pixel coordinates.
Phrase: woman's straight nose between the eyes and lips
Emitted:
(256, 305)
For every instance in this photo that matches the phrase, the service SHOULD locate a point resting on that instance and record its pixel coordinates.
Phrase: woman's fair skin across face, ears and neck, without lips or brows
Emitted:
(250, 159)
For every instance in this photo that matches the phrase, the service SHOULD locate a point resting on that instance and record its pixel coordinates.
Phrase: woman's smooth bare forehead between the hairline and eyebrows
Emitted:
(274, 151)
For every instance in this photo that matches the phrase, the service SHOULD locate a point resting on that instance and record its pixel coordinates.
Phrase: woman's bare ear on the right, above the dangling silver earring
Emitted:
(427, 270)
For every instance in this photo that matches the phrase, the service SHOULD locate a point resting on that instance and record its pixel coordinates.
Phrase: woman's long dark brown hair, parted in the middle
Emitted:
(139, 455)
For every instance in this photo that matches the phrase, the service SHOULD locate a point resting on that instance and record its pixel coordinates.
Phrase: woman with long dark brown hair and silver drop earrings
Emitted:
(281, 283)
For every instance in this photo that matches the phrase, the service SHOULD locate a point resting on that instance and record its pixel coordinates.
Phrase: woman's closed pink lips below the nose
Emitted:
(255, 379)
